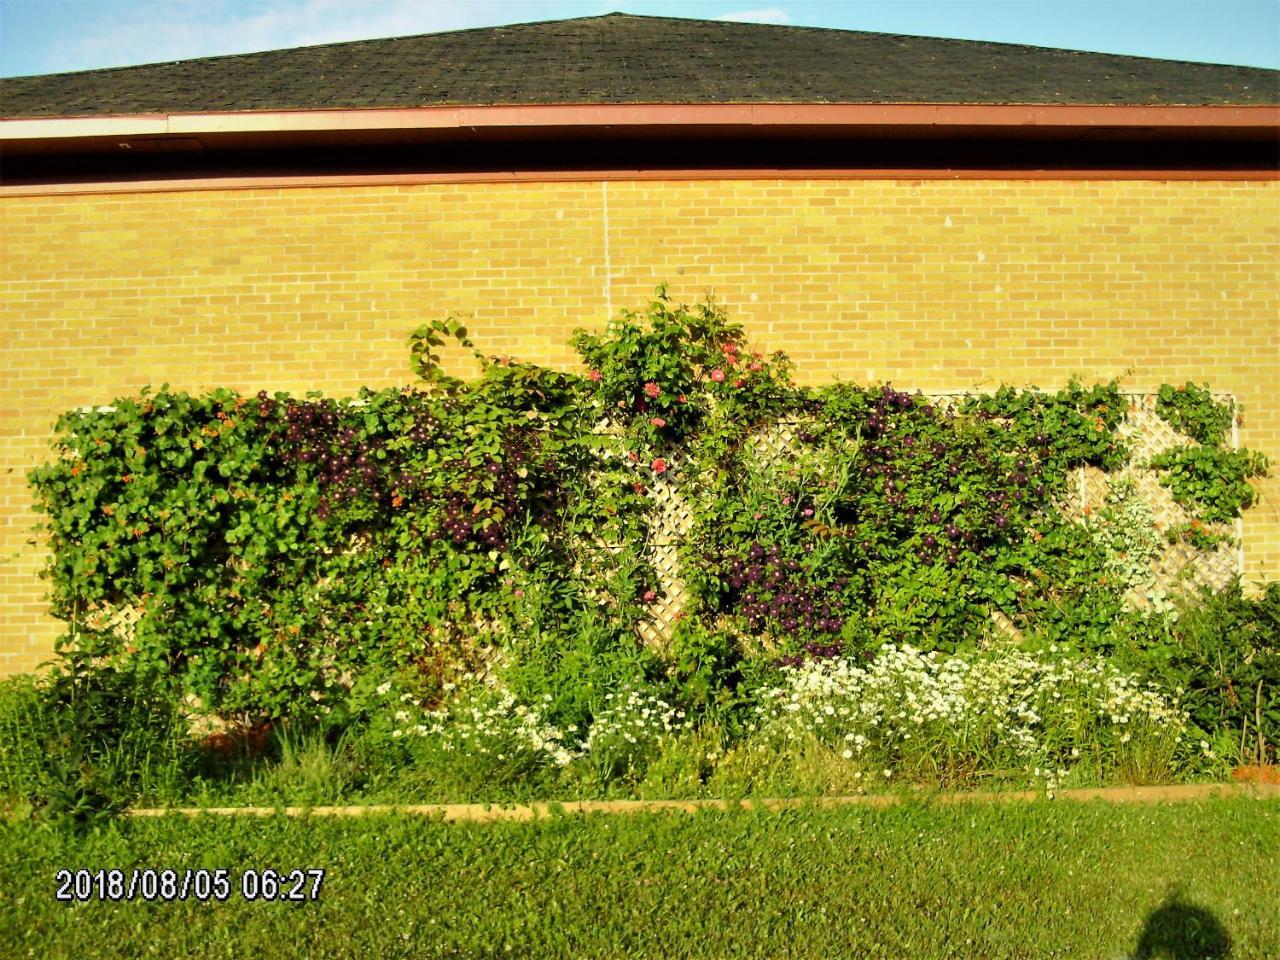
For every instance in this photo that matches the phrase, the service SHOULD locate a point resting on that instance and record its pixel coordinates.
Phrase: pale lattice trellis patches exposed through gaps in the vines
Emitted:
(1148, 433)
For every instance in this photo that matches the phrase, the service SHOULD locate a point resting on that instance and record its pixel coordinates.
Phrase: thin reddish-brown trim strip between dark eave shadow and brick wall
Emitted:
(277, 182)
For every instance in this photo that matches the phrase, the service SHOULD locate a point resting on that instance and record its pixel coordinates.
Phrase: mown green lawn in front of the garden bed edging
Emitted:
(1028, 880)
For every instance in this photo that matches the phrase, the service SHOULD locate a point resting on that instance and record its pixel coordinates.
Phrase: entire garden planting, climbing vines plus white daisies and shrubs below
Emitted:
(437, 593)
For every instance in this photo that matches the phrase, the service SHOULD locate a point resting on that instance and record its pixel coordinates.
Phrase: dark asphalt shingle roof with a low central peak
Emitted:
(625, 60)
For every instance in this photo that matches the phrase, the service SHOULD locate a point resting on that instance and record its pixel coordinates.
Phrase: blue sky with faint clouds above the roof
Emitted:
(49, 36)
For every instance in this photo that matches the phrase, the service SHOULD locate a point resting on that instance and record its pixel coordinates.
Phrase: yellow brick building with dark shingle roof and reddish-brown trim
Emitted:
(941, 214)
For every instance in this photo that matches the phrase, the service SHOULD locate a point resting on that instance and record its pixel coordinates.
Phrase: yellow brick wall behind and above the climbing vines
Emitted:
(936, 285)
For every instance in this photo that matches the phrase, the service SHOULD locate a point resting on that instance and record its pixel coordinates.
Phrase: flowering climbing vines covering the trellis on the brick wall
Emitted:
(282, 552)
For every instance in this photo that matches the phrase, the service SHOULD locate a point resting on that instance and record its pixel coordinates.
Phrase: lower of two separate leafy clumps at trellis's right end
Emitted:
(1212, 482)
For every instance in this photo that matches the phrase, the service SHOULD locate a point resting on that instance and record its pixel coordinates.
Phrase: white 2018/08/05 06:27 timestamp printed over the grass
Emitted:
(203, 885)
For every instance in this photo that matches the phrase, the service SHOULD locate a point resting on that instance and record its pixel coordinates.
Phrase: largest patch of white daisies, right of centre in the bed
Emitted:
(999, 707)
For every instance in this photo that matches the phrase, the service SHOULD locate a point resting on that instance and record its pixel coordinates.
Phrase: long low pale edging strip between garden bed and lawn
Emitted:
(531, 812)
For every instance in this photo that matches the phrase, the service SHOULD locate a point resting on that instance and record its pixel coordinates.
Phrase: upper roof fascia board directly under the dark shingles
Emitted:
(705, 116)
